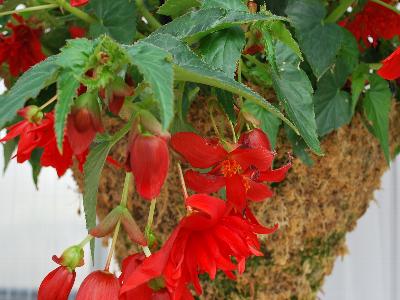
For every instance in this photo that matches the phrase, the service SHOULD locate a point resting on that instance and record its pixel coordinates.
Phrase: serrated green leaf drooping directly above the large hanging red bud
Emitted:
(154, 63)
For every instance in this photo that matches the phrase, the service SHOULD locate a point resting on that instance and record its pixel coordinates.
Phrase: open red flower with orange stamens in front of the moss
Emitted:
(241, 170)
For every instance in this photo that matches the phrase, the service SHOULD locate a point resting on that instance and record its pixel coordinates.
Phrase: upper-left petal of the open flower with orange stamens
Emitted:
(199, 152)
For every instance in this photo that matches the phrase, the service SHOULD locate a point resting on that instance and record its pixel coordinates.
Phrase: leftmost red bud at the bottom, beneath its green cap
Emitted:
(57, 284)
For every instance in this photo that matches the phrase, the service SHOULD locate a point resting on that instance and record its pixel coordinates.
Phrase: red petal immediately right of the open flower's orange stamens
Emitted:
(259, 158)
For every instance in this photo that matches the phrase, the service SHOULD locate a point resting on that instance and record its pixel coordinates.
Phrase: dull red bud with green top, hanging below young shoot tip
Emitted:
(84, 122)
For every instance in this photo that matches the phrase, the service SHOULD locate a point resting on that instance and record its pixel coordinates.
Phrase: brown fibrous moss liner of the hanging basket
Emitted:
(315, 206)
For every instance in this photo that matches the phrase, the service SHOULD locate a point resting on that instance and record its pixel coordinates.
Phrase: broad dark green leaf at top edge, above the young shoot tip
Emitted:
(117, 18)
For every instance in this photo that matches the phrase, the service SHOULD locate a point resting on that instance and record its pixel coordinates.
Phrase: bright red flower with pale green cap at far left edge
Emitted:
(33, 132)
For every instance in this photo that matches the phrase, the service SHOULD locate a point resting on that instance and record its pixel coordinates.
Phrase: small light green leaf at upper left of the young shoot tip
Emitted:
(75, 55)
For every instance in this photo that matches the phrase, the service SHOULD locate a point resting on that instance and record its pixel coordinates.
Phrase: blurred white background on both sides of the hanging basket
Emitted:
(36, 224)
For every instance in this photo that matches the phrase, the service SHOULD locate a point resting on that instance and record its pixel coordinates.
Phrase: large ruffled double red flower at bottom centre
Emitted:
(204, 241)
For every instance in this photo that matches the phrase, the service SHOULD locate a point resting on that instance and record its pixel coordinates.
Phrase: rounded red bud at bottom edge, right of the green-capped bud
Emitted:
(99, 285)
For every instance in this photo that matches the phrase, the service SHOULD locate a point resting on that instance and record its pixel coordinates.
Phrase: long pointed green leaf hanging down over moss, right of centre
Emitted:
(294, 91)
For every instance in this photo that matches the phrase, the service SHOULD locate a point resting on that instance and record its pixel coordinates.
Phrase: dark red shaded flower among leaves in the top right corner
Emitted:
(374, 21)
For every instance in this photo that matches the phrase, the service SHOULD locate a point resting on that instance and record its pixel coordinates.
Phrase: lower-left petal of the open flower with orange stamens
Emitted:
(204, 183)
